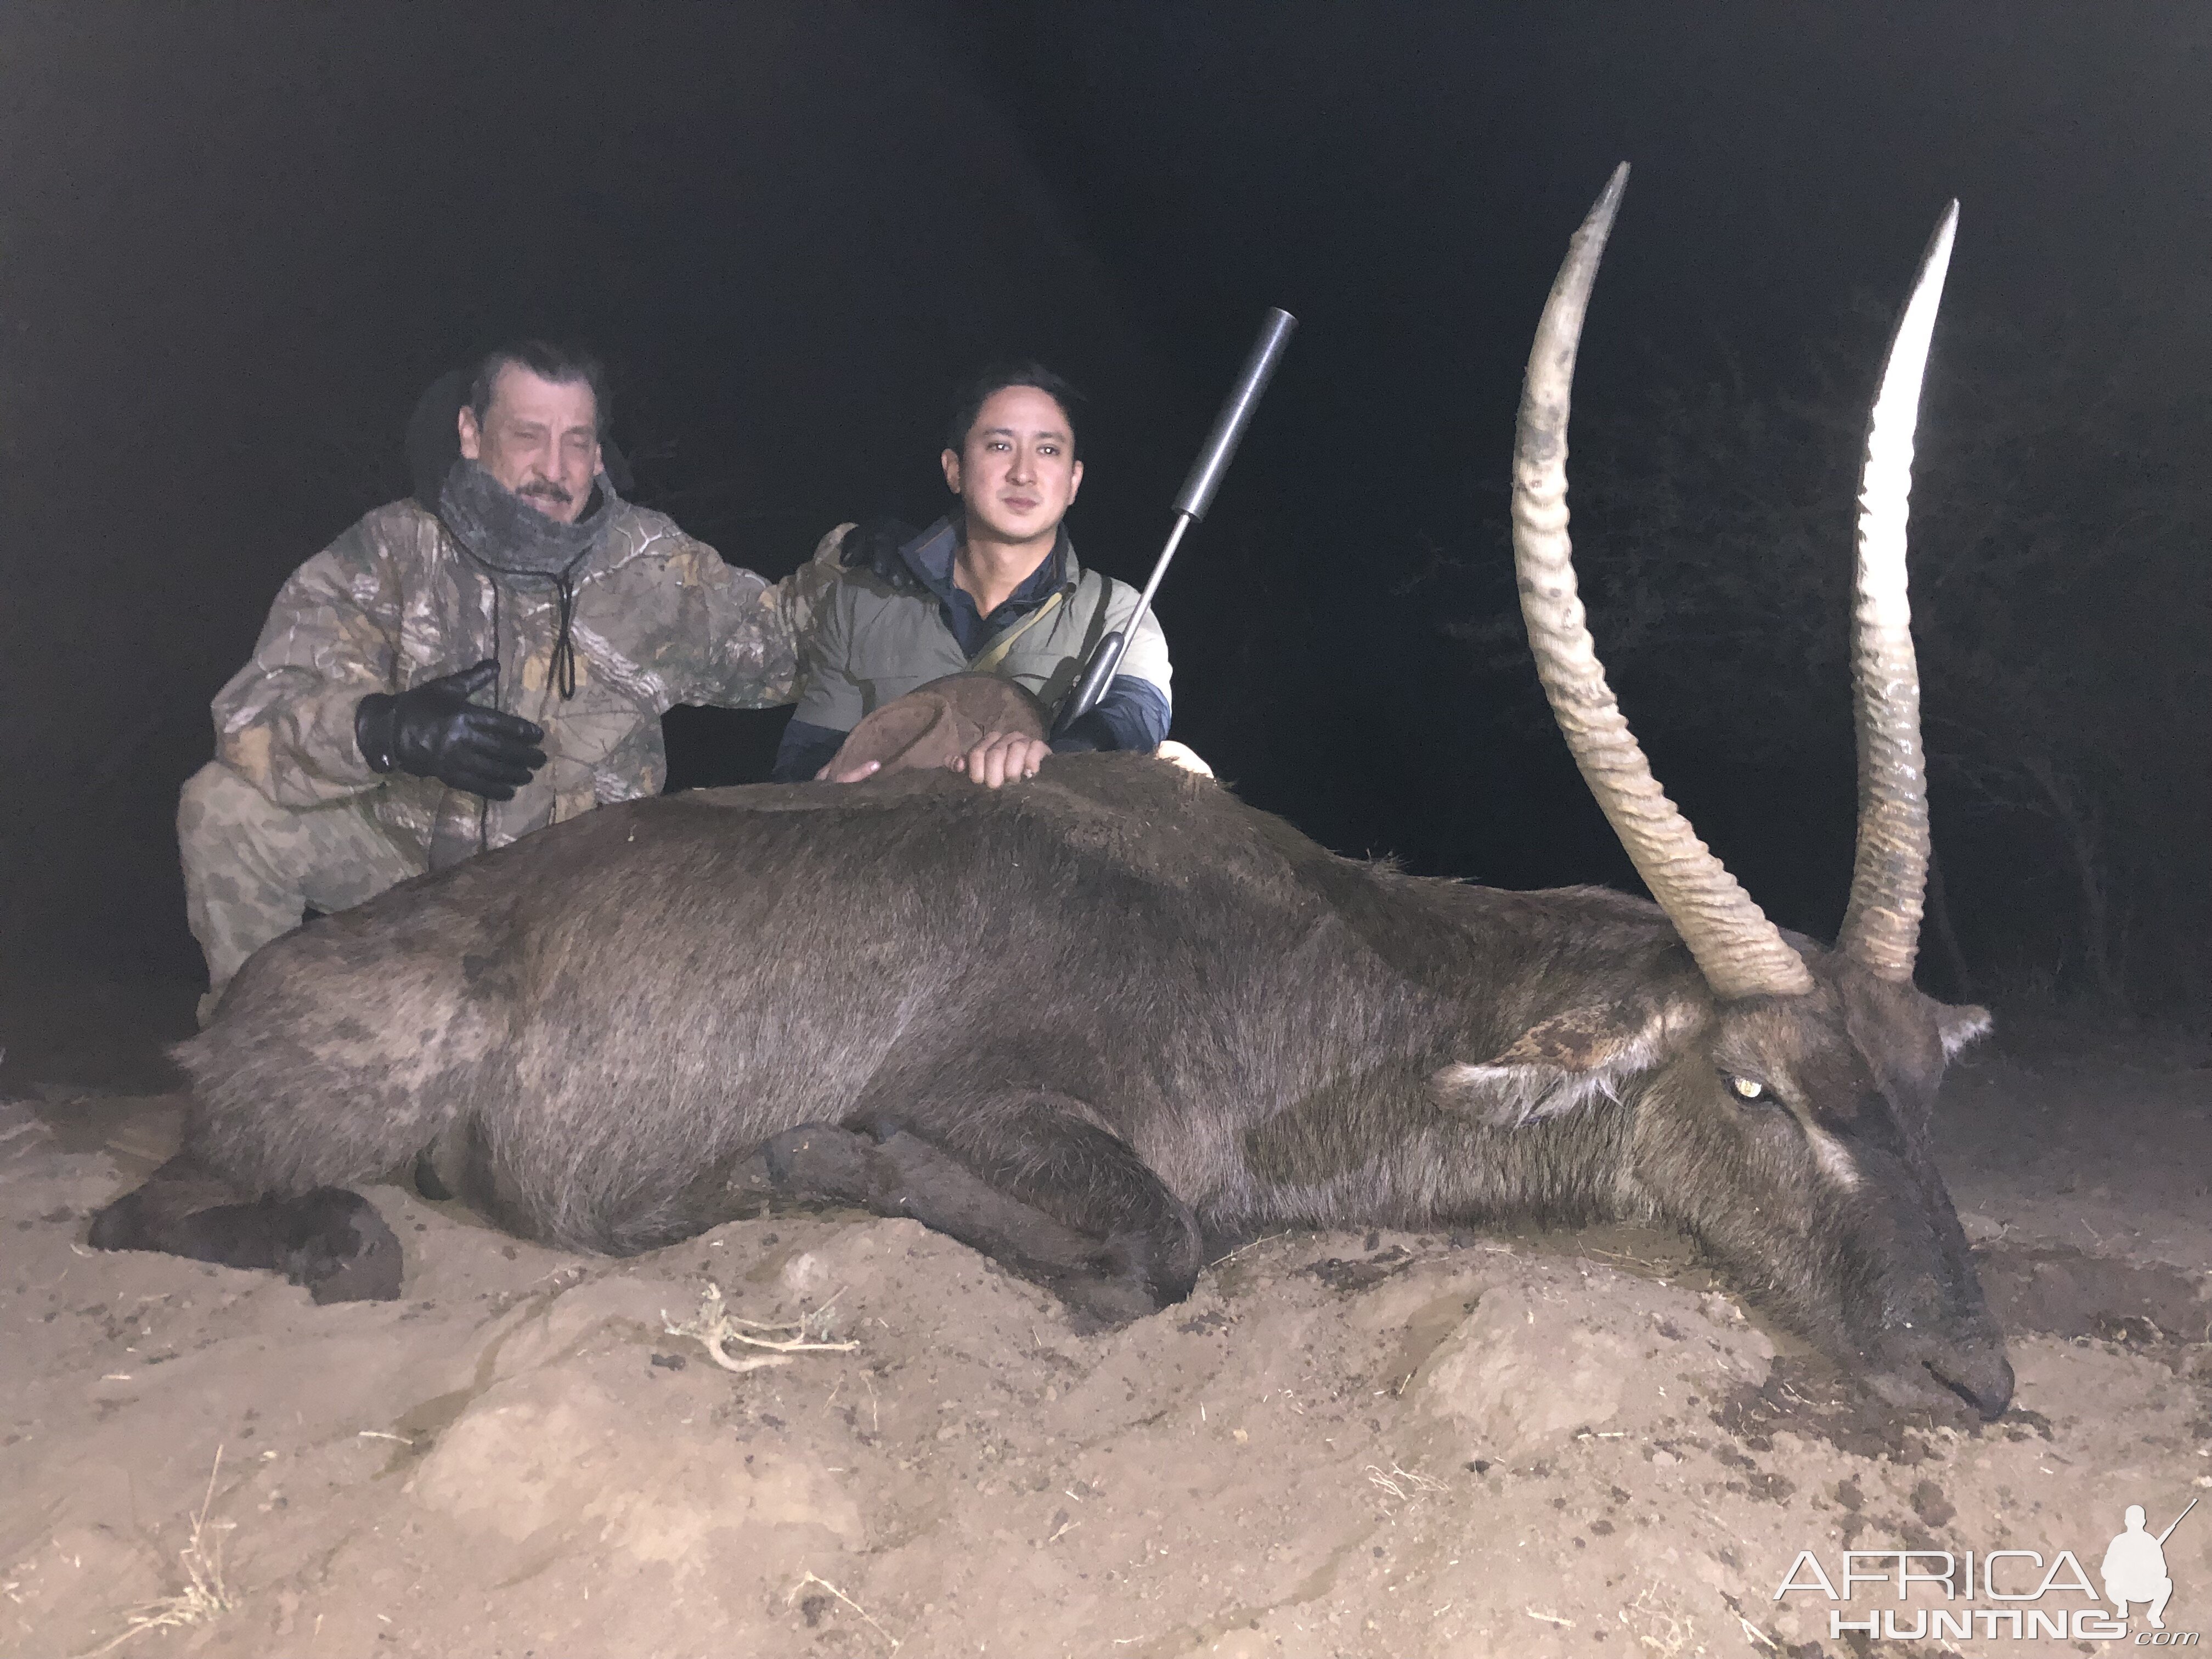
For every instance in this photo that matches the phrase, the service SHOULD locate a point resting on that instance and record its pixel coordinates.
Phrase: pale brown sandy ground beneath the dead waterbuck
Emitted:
(1342, 1446)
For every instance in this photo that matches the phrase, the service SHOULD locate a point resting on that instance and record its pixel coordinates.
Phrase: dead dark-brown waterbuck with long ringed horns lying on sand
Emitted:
(1107, 1019)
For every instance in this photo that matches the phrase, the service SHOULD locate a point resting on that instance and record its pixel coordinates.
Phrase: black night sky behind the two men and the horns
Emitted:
(238, 240)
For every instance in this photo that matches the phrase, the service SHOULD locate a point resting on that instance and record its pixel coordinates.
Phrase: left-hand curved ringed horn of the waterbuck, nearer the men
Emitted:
(1735, 946)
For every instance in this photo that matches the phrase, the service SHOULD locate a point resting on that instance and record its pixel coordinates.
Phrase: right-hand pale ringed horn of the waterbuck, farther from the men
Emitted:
(1881, 928)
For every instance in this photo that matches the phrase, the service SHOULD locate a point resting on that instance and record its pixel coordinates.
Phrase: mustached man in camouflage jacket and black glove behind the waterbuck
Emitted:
(441, 682)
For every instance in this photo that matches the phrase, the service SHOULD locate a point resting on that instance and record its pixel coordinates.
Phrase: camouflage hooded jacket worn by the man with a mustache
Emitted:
(658, 620)
